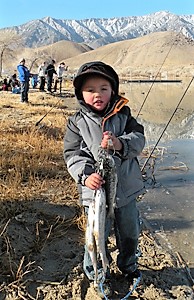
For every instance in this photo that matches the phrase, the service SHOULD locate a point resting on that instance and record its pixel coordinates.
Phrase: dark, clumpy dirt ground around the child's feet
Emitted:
(50, 266)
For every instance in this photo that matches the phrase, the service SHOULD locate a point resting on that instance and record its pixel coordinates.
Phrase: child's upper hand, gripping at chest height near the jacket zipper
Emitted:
(110, 141)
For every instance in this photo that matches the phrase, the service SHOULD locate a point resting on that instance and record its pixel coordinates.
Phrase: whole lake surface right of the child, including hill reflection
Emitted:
(168, 205)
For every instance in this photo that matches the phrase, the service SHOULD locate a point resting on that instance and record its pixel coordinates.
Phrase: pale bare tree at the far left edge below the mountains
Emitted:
(9, 39)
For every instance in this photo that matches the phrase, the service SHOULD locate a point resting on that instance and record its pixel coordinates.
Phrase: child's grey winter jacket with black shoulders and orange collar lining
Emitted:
(83, 138)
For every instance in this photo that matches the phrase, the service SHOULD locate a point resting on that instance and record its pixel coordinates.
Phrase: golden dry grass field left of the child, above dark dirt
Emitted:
(31, 156)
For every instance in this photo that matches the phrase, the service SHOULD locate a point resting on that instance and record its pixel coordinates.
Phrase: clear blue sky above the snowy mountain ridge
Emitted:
(17, 12)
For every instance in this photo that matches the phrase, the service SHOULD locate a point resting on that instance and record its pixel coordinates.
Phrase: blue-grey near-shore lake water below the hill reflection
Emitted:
(168, 205)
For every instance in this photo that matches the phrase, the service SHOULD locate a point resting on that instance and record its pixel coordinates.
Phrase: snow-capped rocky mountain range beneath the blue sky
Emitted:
(99, 32)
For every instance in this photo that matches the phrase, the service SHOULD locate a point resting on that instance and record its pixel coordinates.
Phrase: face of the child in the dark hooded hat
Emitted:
(97, 92)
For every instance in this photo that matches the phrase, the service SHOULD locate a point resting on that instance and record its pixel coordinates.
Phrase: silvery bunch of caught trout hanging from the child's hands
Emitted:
(101, 206)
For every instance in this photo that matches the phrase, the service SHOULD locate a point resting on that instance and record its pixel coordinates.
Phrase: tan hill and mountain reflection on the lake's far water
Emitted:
(161, 102)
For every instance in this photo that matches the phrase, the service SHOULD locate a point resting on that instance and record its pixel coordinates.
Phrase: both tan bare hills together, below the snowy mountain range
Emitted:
(167, 54)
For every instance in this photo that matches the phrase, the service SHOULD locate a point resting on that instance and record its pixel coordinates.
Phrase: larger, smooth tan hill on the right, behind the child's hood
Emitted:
(160, 51)
